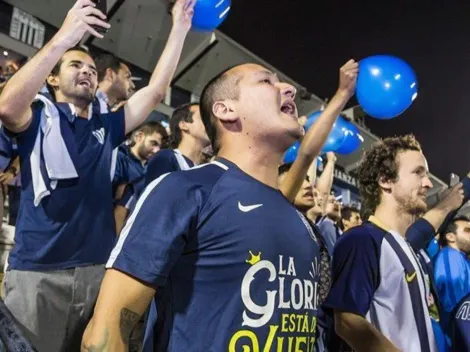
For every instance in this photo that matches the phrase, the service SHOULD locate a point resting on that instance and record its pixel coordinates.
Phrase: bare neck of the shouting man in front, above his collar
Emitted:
(258, 163)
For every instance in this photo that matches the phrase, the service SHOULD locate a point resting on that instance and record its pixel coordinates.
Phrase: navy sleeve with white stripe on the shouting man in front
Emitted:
(156, 233)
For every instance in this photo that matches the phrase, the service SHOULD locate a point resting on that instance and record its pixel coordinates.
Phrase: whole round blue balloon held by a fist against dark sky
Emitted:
(386, 86)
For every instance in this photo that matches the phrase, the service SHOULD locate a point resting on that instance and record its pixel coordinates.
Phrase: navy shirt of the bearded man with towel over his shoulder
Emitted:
(74, 225)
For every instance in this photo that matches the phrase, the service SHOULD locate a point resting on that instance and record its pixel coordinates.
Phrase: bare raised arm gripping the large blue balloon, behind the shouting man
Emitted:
(317, 134)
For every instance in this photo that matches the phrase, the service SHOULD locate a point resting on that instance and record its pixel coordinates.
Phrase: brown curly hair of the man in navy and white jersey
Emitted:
(380, 162)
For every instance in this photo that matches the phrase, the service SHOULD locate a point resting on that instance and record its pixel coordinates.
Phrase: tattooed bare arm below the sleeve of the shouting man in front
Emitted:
(121, 303)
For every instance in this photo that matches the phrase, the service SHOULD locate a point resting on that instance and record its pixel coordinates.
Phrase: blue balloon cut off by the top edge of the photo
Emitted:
(209, 14)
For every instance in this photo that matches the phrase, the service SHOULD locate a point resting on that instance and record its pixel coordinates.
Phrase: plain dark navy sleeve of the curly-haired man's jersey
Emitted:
(355, 273)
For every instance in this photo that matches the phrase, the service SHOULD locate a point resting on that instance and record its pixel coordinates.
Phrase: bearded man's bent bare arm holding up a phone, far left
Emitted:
(19, 92)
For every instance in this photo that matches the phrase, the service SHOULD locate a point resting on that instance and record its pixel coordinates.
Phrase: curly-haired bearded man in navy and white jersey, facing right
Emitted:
(381, 294)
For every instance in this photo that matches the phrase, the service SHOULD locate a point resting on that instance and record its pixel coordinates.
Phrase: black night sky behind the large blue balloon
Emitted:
(309, 40)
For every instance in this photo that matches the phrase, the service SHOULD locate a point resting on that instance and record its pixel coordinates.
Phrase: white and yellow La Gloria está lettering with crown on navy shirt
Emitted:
(288, 294)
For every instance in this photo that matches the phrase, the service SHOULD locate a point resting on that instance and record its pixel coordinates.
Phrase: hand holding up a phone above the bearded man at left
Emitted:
(79, 21)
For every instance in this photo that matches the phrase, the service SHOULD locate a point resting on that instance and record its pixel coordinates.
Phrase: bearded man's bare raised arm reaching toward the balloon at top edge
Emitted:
(141, 104)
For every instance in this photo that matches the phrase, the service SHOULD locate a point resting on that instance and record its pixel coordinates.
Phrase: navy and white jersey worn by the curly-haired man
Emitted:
(369, 280)
